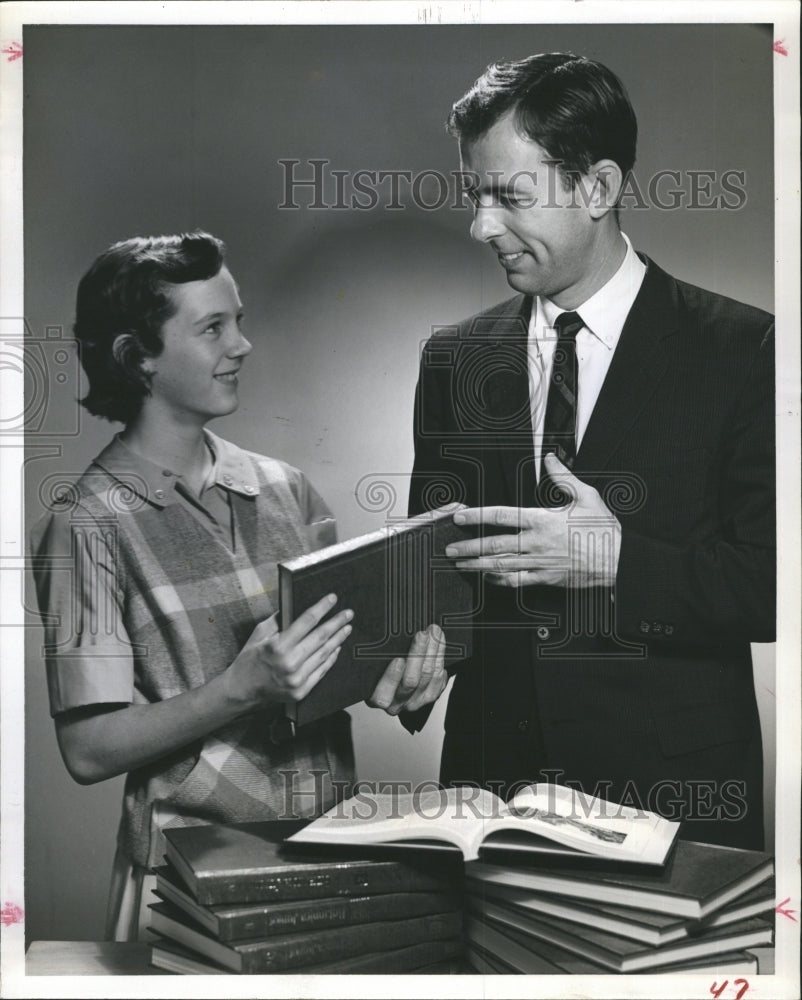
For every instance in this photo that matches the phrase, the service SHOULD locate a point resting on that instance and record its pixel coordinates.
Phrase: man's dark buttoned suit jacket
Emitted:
(643, 692)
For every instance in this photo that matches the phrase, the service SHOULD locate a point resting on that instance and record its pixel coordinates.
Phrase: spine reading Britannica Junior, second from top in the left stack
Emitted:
(309, 915)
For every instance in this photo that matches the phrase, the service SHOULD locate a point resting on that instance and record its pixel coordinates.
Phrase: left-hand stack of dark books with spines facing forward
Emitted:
(235, 899)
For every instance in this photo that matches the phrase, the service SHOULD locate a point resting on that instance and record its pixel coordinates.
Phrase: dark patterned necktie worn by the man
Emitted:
(559, 425)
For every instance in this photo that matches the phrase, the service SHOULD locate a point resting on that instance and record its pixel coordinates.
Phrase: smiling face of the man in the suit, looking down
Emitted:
(543, 234)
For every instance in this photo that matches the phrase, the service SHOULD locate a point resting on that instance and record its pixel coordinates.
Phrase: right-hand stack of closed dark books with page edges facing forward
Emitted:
(700, 912)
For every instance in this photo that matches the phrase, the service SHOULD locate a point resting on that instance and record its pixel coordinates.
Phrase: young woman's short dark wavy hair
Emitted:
(123, 301)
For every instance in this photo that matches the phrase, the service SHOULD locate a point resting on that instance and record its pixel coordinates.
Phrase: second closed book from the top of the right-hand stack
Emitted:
(649, 926)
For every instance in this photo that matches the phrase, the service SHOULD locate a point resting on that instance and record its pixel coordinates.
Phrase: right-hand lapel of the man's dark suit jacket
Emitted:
(638, 365)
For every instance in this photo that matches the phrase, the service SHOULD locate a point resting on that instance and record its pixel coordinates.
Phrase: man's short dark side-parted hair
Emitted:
(576, 109)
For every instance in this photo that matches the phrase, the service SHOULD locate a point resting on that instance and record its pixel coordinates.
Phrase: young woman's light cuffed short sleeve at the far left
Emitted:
(87, 650)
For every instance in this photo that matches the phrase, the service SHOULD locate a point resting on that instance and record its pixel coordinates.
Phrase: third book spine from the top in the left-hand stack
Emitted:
(300, 950)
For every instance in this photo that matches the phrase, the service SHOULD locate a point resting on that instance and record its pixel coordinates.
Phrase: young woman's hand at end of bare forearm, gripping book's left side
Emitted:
(285, 666)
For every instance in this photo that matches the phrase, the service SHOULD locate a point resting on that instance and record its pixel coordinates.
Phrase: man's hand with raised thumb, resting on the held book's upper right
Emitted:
(572, 546)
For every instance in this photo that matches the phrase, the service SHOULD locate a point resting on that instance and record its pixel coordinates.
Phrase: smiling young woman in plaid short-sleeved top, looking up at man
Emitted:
(167, 663)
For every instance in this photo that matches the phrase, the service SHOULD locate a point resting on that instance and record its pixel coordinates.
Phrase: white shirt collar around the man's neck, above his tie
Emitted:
(606, 311)
